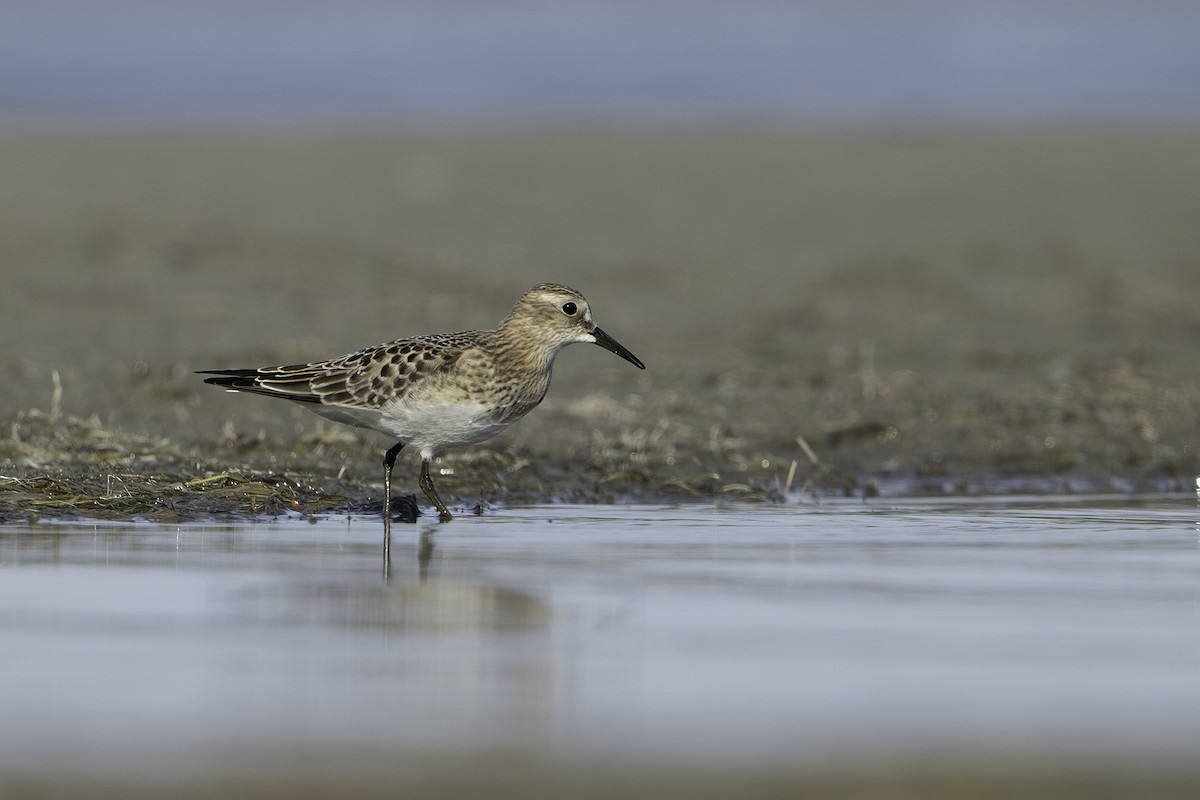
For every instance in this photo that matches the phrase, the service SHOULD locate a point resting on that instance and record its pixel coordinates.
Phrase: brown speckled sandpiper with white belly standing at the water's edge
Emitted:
(443, 390)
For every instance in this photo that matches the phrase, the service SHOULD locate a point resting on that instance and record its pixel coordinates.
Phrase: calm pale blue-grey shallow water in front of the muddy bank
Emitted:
(727, 637)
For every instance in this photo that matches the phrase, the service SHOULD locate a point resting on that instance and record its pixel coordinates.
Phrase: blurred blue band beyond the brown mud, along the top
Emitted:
(212, 64)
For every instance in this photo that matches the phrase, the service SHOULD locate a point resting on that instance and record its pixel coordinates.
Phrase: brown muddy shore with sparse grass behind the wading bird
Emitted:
(891, 311)
